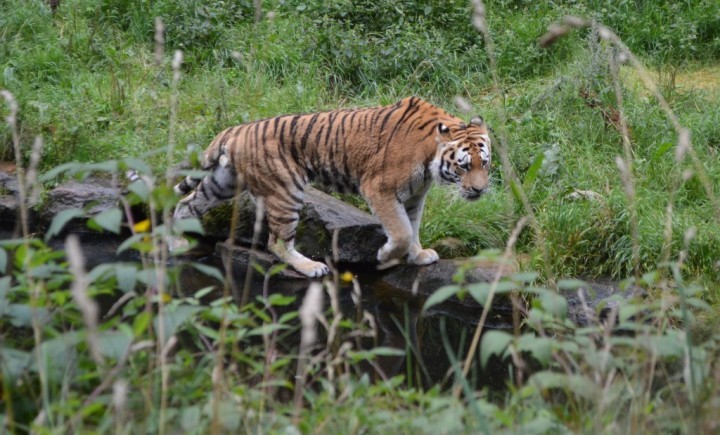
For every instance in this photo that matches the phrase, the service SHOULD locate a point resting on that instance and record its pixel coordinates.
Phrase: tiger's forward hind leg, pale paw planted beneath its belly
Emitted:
(282, 212)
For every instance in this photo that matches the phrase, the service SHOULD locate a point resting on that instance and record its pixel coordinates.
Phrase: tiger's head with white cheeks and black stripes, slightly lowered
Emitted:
(463, 156)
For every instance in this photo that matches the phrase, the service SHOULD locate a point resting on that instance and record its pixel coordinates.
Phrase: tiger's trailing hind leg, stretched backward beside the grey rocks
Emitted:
(217, 187)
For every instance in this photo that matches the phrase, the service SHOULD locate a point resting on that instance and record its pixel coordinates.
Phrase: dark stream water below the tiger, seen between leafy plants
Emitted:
(431, 340)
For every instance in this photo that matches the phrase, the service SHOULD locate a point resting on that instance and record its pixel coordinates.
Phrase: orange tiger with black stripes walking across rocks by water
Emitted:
(390, 155)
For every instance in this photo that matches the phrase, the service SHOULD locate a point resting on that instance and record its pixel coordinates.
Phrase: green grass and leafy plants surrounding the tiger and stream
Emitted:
(86, 79)
